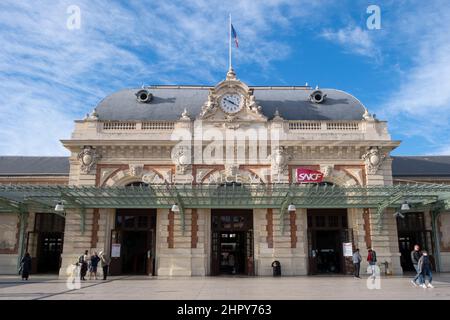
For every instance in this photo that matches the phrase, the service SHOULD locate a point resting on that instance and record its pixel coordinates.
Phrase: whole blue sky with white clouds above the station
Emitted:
(51, 75)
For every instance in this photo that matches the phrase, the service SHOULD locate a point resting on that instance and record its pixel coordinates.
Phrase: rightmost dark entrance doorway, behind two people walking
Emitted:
(411, 231)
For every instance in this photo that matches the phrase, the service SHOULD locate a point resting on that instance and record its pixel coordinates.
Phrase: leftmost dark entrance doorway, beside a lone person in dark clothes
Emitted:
(45, 243)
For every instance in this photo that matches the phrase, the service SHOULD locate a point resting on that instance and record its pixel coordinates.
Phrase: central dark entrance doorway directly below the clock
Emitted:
(232, 242)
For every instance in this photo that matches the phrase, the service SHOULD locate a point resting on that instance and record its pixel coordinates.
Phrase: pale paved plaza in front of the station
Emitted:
(223, 288)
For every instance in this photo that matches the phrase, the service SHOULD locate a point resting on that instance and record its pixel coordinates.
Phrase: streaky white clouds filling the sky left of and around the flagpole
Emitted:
(50, 75)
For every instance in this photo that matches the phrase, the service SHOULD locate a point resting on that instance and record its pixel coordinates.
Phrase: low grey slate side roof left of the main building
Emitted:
(34, 166)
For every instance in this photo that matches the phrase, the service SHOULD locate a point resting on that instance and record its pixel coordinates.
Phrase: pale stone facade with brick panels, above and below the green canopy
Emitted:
(117, 153)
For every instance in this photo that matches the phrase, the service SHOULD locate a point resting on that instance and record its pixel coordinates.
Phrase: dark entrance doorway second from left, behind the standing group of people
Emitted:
(133, 242)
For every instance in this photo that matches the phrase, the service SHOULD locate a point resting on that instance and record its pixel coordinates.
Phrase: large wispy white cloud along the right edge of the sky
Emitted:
(420, 105)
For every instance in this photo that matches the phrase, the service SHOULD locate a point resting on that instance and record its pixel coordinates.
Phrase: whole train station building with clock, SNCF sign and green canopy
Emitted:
(224, 180)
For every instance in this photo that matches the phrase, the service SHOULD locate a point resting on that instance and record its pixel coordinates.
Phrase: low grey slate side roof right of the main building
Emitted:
(421, 166)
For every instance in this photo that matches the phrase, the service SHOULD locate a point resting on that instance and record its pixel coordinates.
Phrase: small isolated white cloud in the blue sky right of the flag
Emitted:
(354, 39)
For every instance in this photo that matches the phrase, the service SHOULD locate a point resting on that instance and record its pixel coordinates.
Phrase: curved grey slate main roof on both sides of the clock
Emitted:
(169, 102)
